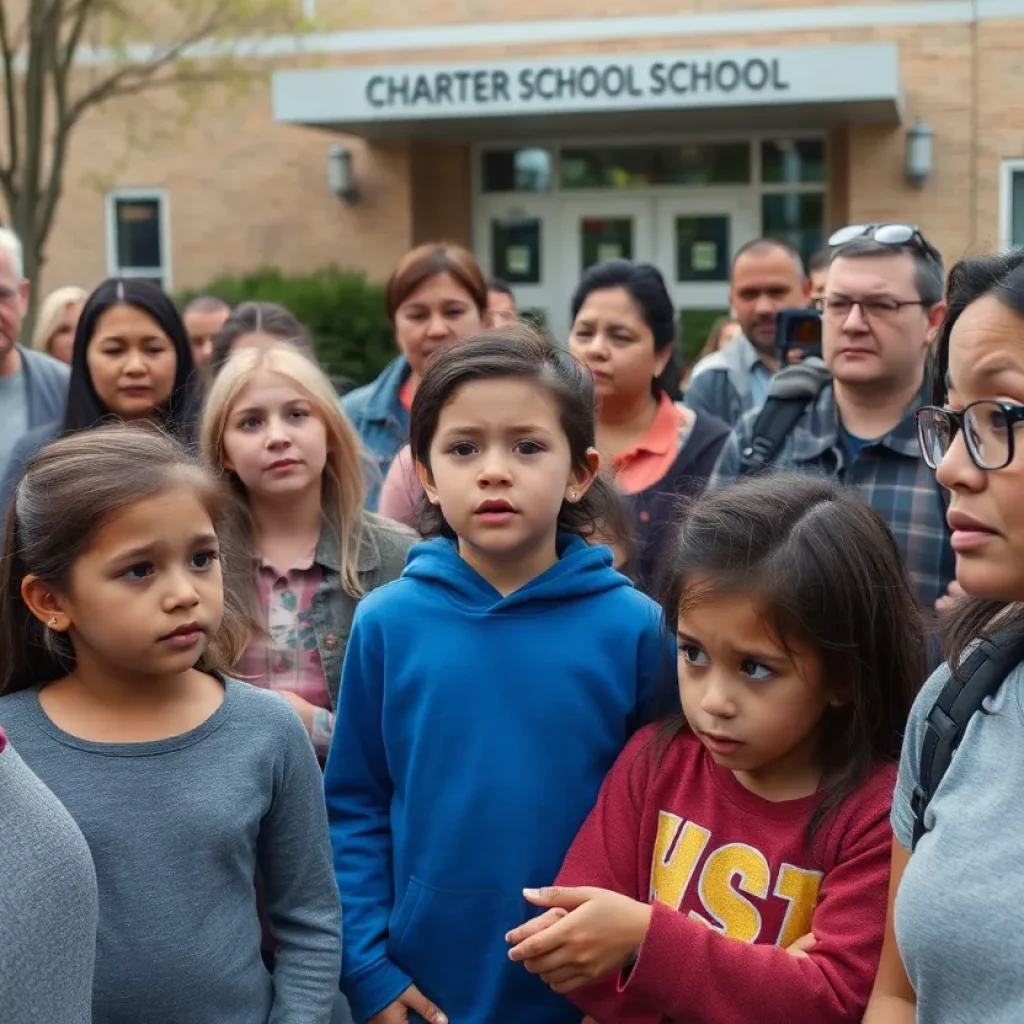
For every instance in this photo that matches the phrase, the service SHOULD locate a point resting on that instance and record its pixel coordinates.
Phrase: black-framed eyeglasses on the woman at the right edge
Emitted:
(989, 433)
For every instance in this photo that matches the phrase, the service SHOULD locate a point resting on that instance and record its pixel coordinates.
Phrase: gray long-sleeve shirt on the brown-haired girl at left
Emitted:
(178, 829)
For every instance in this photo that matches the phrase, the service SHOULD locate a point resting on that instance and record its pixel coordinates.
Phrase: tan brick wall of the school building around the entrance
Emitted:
(246, 192)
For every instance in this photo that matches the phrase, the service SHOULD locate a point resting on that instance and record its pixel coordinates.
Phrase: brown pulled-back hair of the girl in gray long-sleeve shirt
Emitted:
(68, 491)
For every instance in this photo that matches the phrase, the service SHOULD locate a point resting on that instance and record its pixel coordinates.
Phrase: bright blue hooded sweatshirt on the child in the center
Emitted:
(474, 734)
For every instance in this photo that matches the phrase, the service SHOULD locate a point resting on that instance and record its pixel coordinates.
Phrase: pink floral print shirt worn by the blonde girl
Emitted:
(287, 659)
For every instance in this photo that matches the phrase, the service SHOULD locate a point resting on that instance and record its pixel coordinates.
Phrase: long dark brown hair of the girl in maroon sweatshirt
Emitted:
(827, 572)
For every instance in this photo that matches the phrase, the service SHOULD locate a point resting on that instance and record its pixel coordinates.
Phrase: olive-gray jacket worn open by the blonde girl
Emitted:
(382, 559)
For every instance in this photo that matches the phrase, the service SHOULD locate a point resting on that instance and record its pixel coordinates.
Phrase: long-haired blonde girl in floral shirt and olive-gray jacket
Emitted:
(274, 429)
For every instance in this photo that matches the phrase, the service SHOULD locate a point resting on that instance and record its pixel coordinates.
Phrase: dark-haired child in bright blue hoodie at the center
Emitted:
(486, 694)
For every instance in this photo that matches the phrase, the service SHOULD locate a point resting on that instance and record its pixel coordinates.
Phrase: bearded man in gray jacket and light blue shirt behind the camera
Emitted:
(767, 276)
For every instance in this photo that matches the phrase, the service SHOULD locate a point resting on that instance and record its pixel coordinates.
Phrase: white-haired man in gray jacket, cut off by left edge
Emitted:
(33, 388)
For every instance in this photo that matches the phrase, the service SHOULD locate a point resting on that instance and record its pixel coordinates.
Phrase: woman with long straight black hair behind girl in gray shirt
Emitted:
(132, 362)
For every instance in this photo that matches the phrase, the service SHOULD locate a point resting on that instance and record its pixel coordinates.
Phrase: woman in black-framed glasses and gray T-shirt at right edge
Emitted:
(954, 949)
